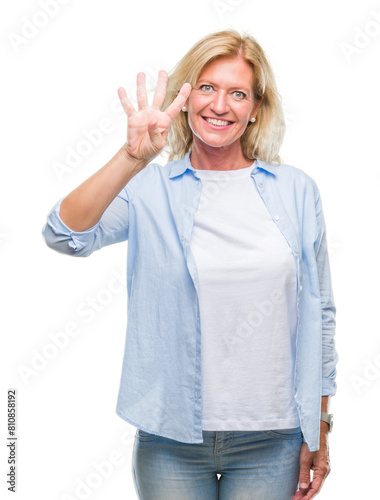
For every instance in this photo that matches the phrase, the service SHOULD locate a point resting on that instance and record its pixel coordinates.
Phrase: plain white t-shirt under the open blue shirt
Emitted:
(247, 294)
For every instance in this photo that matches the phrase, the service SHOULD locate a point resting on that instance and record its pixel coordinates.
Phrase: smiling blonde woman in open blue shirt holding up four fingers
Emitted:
(228, 241)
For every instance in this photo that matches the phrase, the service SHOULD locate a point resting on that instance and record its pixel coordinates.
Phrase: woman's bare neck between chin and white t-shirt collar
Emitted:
(205, 157)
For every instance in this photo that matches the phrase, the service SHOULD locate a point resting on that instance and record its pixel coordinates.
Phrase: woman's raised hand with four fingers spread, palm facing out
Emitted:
(148, 127)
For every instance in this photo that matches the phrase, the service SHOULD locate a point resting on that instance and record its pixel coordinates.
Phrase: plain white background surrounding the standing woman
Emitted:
(61, 82)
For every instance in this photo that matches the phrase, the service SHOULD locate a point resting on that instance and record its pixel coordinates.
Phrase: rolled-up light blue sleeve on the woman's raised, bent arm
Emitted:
(112, 228)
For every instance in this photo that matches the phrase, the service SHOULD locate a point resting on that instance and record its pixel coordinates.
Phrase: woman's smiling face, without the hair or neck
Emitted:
(221, 103)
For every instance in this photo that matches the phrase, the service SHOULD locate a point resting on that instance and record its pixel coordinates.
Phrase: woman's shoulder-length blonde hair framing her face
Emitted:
(261, 139)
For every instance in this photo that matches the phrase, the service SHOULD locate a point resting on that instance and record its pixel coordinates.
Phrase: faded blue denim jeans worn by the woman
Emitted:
(253, 465)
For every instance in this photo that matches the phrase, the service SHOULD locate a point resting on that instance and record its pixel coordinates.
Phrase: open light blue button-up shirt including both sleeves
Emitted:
(160, 387)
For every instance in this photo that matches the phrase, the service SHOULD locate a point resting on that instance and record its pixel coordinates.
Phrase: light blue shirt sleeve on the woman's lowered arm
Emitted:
(329, 354)
